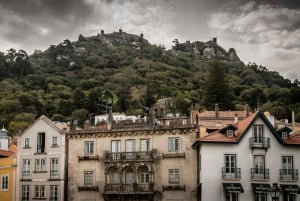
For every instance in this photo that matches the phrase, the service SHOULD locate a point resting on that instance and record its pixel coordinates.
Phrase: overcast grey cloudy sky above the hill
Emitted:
(266, 32)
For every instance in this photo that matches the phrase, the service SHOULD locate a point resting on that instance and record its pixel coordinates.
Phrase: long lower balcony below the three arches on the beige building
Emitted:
(134, 188)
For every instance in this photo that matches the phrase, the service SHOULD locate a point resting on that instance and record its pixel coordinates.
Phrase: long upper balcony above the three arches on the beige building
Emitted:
(128, 156)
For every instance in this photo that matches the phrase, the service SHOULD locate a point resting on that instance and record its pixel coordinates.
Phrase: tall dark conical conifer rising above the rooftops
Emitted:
(216, 90)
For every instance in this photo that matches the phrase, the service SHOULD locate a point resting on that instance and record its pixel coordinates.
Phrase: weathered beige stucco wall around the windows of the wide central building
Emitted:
(158, 142)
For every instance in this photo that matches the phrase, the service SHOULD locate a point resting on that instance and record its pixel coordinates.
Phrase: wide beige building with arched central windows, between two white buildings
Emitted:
(130, 163)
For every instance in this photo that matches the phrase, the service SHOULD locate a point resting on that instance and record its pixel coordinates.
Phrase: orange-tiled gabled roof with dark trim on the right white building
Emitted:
(242, 128)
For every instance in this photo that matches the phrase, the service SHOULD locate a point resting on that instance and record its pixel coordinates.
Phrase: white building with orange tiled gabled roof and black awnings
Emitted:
(242, 161)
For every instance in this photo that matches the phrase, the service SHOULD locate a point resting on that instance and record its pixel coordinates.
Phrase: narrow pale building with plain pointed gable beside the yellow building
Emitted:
(41, 162)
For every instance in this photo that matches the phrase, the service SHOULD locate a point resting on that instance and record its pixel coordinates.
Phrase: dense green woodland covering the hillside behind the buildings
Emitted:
(66, 81)
